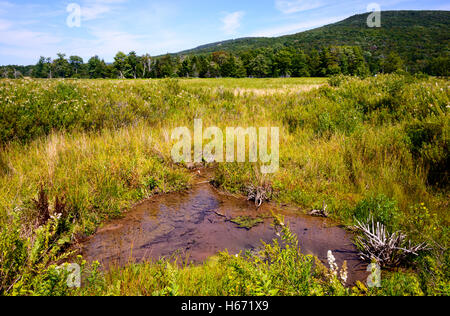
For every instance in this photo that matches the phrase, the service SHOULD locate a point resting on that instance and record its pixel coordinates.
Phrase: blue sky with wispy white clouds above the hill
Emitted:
(30, 29)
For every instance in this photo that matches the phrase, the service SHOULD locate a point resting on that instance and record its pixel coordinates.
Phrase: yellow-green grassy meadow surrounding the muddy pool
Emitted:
(90, 149)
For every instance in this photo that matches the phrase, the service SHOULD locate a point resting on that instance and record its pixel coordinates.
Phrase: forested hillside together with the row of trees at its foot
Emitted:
(407, 41)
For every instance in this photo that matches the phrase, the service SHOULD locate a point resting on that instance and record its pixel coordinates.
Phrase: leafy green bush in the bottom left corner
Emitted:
(27, 265)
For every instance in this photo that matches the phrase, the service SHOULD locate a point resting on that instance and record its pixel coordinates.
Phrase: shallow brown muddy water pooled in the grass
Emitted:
(196, 223)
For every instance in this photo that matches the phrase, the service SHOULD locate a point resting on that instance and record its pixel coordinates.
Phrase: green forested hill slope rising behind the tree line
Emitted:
(413, 34)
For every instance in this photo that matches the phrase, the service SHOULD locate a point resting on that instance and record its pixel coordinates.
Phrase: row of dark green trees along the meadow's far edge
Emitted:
(255, 63)
